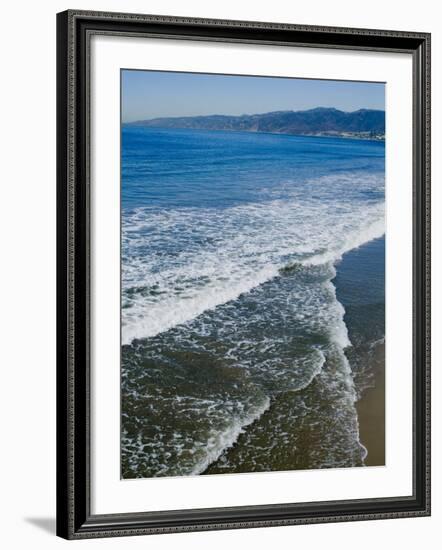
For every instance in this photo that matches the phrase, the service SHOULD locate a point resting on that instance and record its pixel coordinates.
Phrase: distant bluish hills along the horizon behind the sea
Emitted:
(320, 121)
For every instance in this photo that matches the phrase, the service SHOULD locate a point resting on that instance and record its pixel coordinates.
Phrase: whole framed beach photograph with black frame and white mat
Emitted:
(243, 274)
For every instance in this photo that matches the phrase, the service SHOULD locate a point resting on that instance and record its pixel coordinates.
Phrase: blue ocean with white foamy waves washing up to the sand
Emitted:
(252, 295)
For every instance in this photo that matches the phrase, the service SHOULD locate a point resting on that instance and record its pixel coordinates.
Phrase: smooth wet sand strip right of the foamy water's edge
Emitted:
(360, 288)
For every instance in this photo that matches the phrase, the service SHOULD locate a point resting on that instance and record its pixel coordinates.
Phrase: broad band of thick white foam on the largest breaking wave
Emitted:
(179, 263)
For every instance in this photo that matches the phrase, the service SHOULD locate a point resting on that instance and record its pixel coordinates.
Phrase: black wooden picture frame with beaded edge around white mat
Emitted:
(74, 519)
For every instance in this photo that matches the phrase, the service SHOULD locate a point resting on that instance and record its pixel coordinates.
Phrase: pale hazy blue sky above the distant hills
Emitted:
(151, 94)
